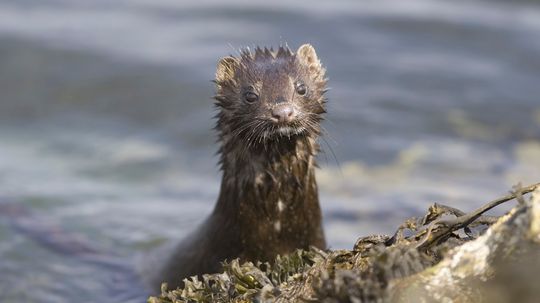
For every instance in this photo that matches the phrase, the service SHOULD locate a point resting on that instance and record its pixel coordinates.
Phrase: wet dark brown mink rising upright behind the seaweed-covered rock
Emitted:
(270, 107)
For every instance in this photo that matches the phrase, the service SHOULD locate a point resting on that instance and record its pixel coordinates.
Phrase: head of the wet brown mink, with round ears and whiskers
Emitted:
(267, 94)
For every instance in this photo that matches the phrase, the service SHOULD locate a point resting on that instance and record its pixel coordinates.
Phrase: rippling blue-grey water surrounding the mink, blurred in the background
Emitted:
(106, 117)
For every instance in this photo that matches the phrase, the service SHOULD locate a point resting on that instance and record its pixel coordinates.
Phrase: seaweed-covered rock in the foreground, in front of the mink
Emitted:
(469, 257)
